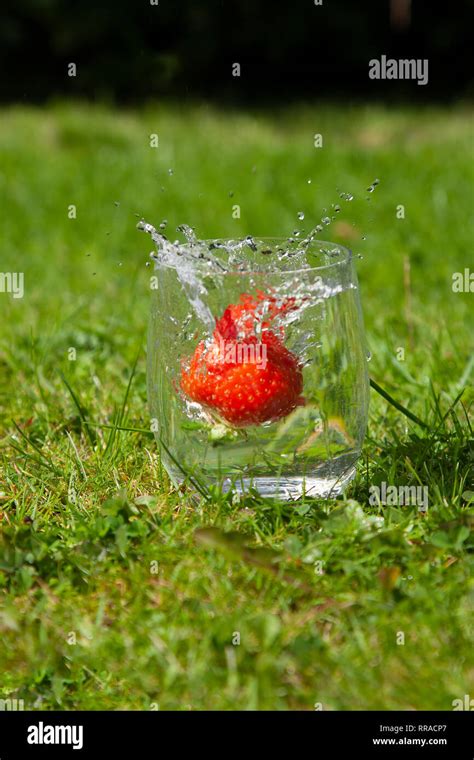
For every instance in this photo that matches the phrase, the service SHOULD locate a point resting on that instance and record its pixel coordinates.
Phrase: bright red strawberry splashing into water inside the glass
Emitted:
(245, 379)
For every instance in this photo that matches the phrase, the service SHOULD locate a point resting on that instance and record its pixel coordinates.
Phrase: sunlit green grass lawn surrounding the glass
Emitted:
(110, 598)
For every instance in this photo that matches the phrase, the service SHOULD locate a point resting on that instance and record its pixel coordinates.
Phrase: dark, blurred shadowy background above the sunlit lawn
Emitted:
(130, 50)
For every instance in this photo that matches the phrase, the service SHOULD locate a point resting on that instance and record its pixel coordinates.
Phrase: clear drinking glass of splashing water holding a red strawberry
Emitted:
(257, 370)
